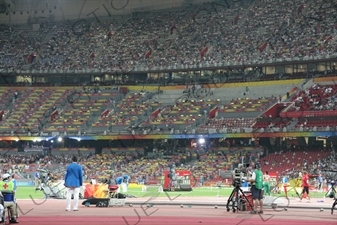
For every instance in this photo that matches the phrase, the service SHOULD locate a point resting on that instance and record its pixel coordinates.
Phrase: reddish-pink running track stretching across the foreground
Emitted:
(52, 212)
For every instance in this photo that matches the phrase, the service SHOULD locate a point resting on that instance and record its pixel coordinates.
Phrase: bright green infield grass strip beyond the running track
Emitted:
(29, 192)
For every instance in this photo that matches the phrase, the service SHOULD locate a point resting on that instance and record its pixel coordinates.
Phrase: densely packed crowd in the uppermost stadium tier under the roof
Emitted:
(248, 31)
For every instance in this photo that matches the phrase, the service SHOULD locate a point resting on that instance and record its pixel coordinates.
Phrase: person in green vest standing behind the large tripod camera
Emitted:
(256, 188)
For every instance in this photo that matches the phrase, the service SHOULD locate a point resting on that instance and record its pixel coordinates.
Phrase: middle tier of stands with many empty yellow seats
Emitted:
(94, 110)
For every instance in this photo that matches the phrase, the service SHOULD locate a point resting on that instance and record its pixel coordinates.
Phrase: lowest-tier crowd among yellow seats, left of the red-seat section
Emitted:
(140, 168)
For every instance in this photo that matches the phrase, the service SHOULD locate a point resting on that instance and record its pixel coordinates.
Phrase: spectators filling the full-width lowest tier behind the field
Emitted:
(205, 166)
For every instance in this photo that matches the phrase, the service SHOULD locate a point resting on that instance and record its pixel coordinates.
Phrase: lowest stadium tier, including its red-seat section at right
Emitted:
(205, 166)
